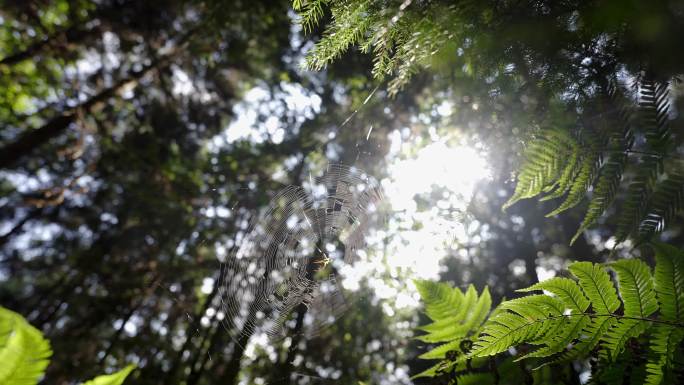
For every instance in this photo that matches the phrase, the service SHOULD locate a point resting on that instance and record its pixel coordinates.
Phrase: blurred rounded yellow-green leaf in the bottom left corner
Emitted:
(24, 353)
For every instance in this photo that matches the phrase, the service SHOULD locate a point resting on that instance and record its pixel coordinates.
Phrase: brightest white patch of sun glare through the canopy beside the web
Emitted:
(443, 177)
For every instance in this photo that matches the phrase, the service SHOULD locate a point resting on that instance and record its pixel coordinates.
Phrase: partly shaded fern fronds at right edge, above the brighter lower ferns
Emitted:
(624, 151)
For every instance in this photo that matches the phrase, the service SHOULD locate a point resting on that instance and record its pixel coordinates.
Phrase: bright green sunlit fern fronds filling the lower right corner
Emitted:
(588, 315)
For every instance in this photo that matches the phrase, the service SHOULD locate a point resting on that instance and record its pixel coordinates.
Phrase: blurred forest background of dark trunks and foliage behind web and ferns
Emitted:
(138, 139)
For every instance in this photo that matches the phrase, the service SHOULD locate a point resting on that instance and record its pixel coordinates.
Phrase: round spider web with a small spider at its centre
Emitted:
(290, 255)
